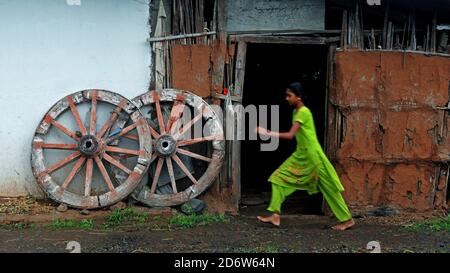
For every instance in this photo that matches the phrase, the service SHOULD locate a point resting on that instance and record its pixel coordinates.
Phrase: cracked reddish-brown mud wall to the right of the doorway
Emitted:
(388, 128)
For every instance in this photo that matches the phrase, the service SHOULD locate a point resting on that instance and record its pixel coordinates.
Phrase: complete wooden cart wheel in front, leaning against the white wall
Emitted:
(72, 159)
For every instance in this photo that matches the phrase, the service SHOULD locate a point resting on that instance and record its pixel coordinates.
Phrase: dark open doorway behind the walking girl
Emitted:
(269, 69)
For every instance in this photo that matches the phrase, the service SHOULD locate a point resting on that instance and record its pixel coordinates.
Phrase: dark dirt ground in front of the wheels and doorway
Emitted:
(241, 234)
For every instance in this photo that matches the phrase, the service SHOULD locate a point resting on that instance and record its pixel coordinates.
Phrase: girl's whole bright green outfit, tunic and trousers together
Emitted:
(309, 169)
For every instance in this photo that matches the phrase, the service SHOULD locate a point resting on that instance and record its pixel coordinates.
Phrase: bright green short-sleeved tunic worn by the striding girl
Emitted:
(308, 166)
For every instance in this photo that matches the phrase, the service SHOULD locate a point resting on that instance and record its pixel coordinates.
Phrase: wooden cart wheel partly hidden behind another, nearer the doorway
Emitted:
(189, 162)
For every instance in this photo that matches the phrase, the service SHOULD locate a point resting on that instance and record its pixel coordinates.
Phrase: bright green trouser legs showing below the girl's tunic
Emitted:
(334, 199)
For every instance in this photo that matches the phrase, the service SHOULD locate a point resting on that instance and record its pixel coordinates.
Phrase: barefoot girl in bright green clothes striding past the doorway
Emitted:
(307, 168)
